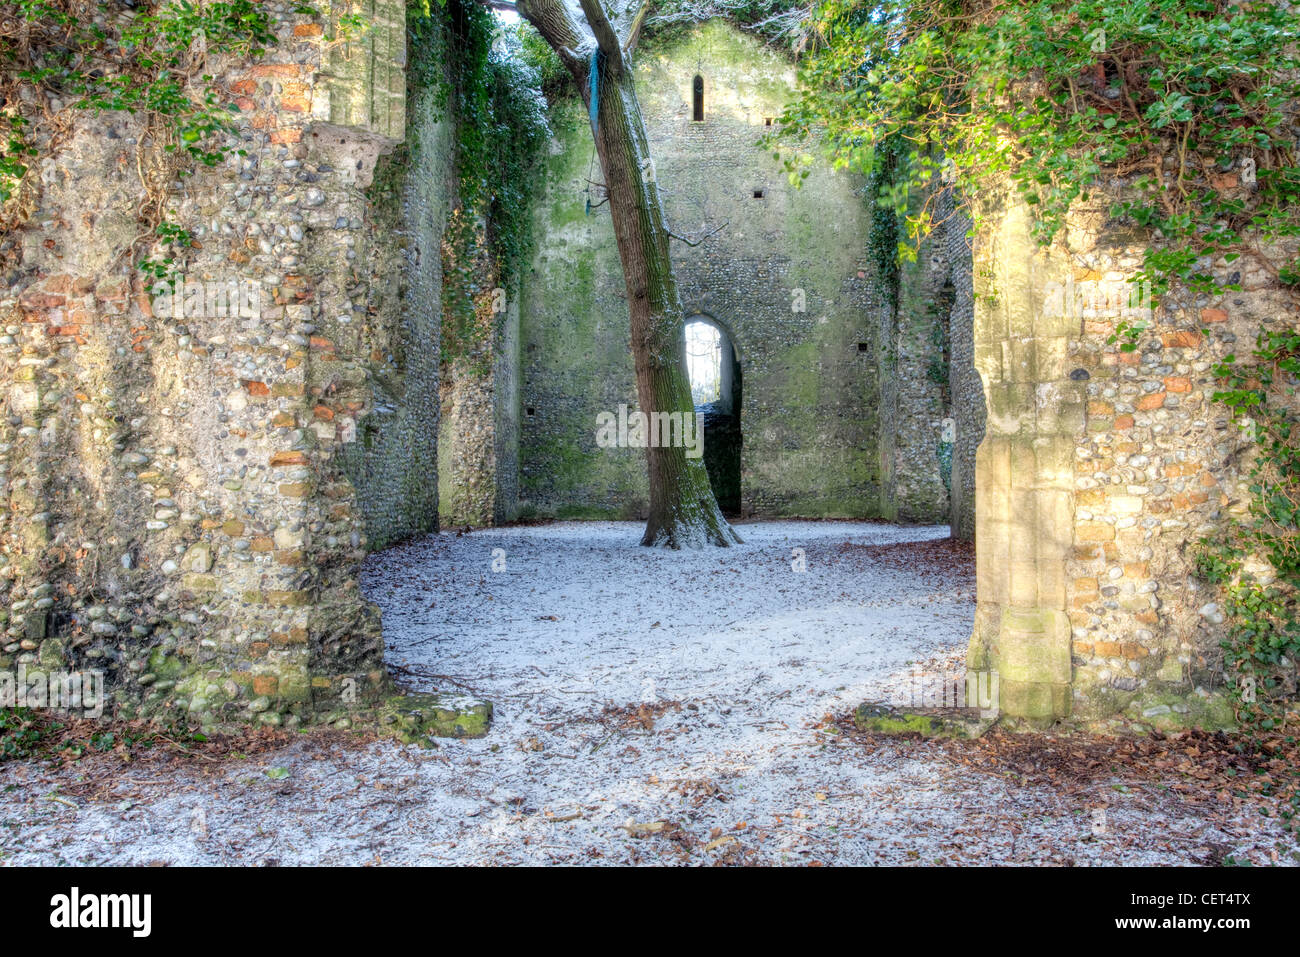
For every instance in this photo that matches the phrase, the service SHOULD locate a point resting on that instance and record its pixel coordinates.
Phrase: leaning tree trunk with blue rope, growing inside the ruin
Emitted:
(596, 47)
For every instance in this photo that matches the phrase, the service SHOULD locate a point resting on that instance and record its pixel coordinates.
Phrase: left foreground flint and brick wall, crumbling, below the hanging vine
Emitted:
(176, 513)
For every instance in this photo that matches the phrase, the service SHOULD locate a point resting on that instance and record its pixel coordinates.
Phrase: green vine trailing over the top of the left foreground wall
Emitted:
(148, 60)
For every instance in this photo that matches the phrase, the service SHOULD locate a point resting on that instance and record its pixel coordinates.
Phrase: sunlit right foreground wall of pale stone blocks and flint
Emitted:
(1100, 473)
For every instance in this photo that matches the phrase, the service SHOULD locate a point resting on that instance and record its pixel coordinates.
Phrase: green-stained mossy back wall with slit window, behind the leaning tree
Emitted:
(788, 279)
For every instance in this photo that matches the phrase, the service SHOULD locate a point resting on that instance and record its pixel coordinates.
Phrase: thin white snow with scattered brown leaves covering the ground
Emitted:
(652, 708)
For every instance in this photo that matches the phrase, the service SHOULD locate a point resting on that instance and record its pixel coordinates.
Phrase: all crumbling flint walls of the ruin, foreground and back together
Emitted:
(188, 497)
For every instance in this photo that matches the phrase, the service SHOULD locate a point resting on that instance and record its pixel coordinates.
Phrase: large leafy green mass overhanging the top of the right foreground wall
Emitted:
(1186, 99)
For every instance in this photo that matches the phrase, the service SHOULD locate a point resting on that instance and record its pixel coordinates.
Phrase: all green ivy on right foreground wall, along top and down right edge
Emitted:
(1181, 110)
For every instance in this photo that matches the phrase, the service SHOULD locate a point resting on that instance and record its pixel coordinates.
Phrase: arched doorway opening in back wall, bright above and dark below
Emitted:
(716, 388)
